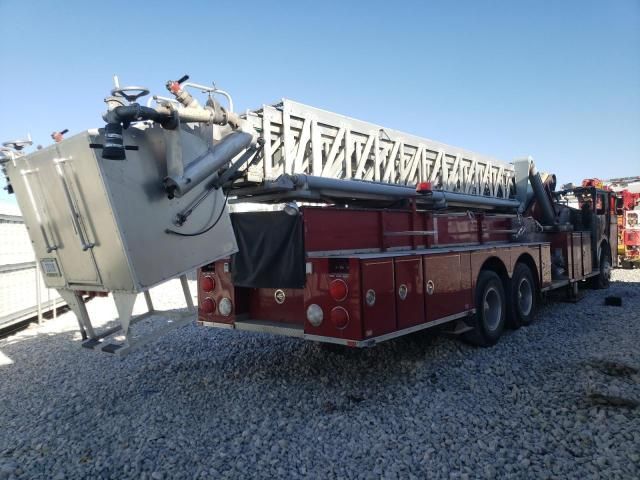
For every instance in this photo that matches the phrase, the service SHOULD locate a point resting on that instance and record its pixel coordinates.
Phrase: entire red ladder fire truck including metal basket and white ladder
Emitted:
(300, 222)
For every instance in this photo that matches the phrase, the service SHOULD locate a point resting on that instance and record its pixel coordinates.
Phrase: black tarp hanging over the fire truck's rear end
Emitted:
(270, 250)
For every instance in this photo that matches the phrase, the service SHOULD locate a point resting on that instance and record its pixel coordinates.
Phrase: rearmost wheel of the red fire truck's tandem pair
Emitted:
(488, 322)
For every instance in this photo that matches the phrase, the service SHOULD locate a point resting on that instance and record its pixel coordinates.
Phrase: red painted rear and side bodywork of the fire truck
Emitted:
(409, 257)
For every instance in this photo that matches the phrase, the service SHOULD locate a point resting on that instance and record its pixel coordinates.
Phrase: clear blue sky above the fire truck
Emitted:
(559, 80)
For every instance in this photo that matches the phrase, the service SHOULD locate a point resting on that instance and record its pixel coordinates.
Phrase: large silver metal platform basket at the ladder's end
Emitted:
(100, 225)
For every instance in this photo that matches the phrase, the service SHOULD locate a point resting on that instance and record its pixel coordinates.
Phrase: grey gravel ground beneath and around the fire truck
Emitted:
(554, 400)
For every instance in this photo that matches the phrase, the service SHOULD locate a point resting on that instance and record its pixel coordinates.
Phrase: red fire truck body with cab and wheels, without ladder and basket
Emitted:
(362, 270)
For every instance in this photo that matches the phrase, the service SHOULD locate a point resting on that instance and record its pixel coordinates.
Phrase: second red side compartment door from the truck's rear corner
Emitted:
(409, 291)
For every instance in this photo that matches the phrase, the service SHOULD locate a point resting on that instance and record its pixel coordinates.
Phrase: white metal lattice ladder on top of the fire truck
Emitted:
(317, 142)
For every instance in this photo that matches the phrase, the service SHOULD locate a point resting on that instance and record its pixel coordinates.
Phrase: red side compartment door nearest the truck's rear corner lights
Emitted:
(378, 297)
